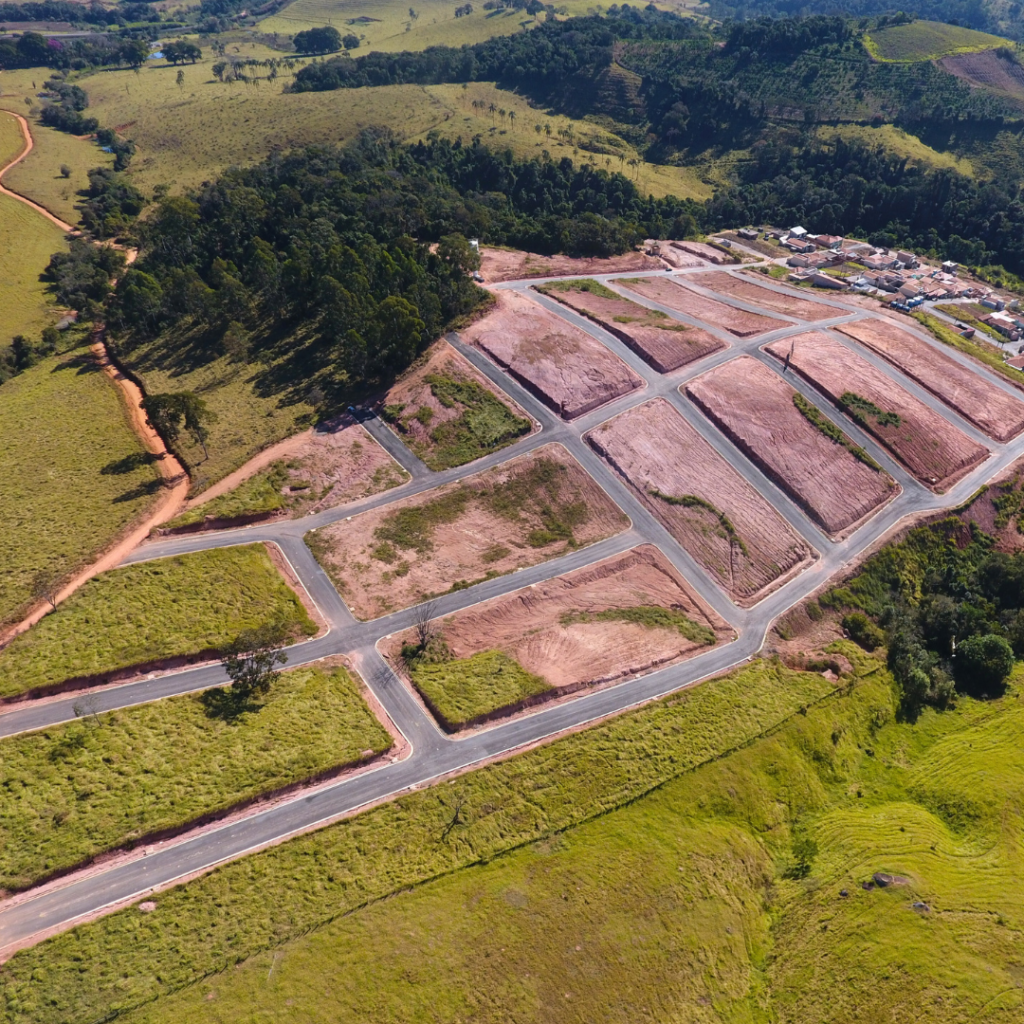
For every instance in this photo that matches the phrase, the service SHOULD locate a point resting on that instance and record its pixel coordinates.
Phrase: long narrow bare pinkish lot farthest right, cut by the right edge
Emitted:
(990, 408)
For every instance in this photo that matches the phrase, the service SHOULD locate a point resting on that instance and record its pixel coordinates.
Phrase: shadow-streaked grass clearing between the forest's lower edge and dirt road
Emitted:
(247, 422)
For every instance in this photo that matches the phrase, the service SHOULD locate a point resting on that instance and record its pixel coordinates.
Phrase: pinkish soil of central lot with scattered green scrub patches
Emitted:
(480, 544)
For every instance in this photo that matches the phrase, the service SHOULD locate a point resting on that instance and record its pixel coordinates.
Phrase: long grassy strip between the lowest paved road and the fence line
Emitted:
(258, 904)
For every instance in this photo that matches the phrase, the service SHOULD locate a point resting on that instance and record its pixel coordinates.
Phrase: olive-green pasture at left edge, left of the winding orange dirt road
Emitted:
(76, 479)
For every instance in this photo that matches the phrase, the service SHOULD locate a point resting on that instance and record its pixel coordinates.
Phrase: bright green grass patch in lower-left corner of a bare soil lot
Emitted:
(466, 690)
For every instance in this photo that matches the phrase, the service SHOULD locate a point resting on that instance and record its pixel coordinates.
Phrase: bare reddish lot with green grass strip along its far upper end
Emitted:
(665, 344)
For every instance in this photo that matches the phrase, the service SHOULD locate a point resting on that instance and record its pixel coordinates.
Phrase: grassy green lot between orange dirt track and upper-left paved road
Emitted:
(165, 609)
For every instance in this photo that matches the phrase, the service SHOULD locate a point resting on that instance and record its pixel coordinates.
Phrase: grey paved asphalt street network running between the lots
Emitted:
(435, 754)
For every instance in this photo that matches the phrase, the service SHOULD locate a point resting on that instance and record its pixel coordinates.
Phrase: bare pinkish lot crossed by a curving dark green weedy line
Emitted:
(708, 507)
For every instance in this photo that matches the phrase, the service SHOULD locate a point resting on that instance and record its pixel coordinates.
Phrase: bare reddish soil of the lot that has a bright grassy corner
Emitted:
(528, 625)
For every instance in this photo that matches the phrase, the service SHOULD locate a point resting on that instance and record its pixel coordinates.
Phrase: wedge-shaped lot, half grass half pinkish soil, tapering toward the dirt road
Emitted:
(334, 464)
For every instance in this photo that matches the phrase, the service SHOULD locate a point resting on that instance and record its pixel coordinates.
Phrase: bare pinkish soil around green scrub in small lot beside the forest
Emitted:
(413, 393)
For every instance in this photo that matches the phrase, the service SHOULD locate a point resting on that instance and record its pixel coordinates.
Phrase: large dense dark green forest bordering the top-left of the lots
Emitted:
(328, 252)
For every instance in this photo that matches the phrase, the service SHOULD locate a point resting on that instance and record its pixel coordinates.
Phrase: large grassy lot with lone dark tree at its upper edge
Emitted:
(77, 790)
